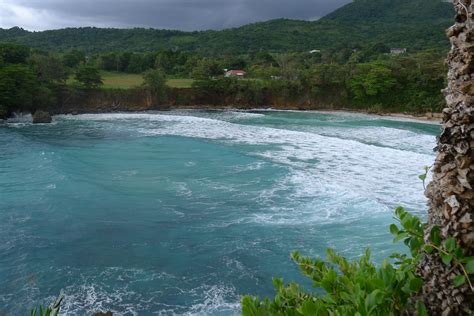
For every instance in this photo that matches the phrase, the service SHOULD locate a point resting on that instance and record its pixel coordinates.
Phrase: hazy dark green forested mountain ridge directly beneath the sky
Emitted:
(414, 24)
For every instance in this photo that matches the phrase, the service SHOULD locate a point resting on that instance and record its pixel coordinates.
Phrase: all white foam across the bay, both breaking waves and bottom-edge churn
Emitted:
(328, 176)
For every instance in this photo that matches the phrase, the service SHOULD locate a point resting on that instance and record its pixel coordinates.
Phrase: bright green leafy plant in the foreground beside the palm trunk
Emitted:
(361, 288)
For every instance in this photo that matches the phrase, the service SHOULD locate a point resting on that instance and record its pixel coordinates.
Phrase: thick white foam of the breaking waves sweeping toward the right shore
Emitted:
(318, 163)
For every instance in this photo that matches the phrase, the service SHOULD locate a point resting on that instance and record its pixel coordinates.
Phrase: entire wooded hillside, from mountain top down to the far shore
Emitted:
(353, 70)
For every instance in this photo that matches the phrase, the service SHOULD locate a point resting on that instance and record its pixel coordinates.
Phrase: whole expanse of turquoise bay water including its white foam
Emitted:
(183, 212)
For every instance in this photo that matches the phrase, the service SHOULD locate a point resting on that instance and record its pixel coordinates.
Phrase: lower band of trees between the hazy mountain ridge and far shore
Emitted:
(363, 78)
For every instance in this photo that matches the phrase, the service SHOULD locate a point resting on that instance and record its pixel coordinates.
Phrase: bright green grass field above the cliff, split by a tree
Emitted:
(117, 80)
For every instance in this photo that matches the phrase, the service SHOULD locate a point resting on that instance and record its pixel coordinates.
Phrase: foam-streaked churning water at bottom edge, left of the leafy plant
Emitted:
(88, 296)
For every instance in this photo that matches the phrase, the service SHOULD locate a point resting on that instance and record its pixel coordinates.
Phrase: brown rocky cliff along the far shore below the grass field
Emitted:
(130, 100)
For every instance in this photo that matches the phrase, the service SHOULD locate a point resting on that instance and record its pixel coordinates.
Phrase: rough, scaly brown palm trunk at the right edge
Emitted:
(451, 194)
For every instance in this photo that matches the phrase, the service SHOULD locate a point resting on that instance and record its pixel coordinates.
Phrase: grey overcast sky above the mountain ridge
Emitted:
(185, 15)
